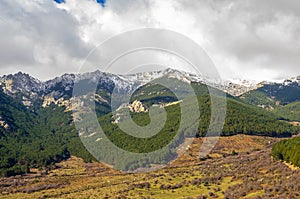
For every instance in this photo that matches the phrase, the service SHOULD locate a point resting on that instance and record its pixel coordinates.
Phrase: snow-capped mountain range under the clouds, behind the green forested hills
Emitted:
(31, 89)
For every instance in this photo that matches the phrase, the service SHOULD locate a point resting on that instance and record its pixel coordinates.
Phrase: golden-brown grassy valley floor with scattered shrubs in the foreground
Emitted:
(248, 173)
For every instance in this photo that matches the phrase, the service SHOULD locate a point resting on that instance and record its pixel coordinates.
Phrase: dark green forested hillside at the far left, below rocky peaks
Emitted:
(35, 139)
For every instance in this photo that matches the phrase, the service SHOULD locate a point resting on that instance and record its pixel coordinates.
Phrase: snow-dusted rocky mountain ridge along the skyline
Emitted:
(32, 89)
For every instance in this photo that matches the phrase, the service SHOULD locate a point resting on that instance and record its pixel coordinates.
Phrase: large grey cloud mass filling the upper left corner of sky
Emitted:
(38, 38)
